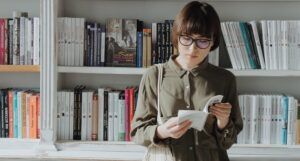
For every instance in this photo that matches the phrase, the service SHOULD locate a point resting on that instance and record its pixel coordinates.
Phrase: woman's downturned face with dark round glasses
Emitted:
(193, 49)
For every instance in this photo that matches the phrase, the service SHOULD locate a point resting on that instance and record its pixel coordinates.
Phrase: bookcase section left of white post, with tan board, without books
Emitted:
(19, 76)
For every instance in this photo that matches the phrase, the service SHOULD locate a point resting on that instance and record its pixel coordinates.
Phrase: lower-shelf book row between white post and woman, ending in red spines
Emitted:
(103, 115)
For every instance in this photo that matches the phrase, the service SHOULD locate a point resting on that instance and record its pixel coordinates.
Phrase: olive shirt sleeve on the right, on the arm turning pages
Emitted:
(228, 136)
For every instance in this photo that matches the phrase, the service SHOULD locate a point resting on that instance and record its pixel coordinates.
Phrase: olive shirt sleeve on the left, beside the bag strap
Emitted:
(144, 124)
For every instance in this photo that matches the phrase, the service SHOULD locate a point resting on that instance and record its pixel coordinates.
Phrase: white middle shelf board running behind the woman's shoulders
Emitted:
(140, 71)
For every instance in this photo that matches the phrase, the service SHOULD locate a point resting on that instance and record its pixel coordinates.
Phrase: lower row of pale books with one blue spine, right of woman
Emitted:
(269, 119)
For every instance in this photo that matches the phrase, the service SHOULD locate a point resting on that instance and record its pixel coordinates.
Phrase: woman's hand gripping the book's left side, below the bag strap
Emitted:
(171, 129)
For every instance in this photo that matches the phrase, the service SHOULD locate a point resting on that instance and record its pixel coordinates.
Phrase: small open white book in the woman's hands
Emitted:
(198, 118)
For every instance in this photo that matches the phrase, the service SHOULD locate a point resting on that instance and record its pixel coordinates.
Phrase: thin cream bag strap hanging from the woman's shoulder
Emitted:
(159, 81)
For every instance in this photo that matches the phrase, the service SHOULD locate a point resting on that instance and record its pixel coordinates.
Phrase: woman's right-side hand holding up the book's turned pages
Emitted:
(222, 112)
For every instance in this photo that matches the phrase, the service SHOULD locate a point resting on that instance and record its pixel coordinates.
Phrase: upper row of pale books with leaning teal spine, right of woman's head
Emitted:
(267, 44)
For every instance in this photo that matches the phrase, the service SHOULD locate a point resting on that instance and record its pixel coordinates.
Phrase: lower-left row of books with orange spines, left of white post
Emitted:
(19, 113)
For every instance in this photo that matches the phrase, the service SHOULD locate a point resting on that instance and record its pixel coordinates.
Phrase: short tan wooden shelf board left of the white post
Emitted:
(20, 68)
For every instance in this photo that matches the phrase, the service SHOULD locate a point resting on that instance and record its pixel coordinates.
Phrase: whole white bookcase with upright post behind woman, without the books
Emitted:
(53, 78)
